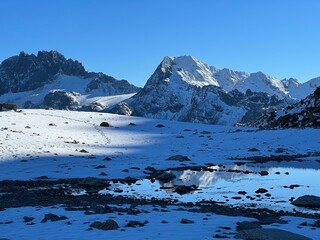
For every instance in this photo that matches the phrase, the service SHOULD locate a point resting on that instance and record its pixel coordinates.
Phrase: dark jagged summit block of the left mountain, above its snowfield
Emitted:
(28, 72)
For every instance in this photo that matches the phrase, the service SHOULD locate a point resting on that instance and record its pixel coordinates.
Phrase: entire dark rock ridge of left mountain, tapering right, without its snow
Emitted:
(27, 72)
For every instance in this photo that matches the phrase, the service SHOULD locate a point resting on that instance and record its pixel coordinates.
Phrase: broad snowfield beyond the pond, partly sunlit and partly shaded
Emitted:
(41, 142)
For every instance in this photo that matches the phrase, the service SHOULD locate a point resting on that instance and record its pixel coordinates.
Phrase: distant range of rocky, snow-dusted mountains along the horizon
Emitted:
(181, 88)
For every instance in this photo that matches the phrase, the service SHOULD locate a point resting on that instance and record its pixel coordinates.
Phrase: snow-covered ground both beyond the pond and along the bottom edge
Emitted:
(63, 144)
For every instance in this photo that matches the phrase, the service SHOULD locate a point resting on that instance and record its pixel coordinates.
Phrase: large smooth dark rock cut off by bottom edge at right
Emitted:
(269, 234)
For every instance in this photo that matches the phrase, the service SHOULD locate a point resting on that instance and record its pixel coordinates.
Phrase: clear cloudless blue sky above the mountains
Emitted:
(127, 39)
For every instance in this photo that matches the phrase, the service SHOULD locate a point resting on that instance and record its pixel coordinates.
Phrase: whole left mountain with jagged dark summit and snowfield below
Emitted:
(48, 79)
